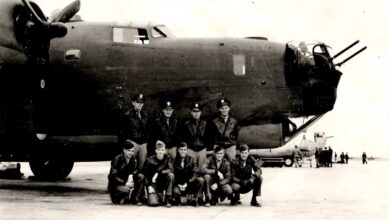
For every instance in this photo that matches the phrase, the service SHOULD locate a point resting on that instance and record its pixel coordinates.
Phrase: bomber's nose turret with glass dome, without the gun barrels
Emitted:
(311, 71)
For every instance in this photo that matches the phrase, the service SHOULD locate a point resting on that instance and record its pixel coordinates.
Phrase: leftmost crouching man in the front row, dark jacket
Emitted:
(122, 190)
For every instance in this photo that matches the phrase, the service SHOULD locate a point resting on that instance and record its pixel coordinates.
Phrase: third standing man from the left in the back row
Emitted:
(195, 135)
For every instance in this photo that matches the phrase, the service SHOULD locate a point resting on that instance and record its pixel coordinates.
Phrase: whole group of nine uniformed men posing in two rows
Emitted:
(169, 138)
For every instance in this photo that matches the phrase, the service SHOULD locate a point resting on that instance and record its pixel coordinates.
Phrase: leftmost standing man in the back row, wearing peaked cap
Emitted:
(134, 127)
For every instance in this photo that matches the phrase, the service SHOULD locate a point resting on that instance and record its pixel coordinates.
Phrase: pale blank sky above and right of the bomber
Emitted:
(360, 120)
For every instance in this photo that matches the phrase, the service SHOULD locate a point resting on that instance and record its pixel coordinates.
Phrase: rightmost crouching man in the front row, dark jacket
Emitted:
(242, 177)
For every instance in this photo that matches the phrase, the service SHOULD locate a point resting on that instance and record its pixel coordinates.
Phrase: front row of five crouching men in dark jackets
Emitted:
(178, 181)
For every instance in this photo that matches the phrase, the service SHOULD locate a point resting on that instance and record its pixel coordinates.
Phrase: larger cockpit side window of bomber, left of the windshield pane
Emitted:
(130, 35)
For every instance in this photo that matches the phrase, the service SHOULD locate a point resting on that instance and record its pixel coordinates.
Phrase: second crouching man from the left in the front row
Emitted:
(159, 175)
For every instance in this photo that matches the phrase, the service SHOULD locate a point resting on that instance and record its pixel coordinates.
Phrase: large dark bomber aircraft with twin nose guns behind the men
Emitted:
(64, 82)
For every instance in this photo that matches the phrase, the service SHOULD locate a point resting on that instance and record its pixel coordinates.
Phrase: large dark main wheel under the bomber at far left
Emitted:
(51, 169)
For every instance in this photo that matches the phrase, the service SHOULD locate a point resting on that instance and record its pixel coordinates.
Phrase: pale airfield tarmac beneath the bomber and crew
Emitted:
(352, 191)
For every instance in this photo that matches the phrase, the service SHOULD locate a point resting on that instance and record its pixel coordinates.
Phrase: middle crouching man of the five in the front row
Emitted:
(187, 181)
